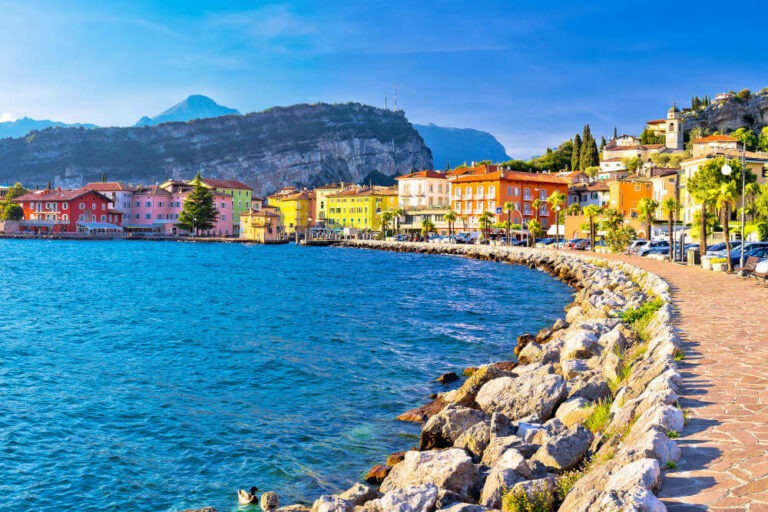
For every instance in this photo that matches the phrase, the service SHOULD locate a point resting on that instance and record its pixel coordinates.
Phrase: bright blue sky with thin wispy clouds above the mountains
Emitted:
(531, 73)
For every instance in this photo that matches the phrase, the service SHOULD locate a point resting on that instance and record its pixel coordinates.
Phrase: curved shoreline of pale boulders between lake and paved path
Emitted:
(585, 421)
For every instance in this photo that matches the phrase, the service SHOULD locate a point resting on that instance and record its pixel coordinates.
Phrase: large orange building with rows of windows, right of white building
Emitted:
(473, 194)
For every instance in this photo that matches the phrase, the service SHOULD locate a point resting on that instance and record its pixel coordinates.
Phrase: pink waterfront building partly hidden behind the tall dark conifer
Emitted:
(156, 209)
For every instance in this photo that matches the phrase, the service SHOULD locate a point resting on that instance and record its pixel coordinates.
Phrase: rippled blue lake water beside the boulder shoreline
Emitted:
(150, 376)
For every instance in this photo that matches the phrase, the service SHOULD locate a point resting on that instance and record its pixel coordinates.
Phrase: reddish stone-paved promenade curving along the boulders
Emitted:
(724, 324)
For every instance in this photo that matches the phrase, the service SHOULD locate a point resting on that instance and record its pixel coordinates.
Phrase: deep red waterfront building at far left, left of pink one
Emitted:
(63, 211)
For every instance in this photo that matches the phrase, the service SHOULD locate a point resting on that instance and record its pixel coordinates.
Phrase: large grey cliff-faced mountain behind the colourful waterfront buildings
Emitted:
(304, 145)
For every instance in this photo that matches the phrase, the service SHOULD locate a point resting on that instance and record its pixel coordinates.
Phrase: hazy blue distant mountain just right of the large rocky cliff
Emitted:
(455, 146)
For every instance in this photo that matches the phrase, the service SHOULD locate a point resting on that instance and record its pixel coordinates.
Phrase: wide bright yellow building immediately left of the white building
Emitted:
(360, 207)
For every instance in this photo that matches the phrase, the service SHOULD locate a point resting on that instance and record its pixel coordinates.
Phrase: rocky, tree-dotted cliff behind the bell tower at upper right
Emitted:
(733, 114)
